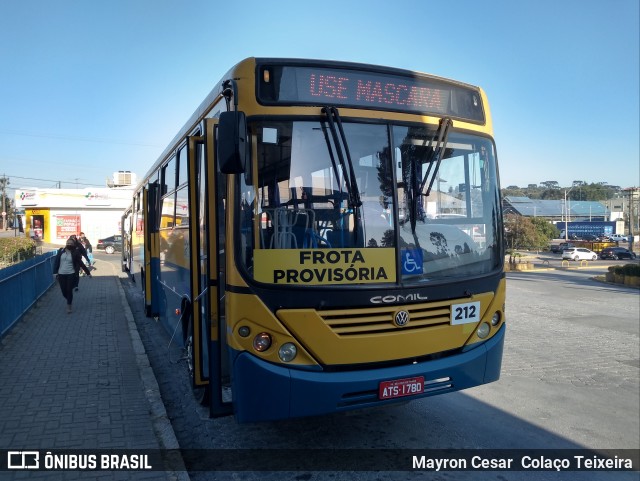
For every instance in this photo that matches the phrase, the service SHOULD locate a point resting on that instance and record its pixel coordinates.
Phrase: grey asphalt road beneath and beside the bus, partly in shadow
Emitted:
(570, 379)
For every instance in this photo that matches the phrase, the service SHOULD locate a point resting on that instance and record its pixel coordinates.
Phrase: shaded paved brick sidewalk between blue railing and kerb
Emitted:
(81, 380)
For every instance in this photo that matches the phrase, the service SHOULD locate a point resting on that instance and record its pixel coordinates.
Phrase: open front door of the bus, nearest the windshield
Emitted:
(209, 357)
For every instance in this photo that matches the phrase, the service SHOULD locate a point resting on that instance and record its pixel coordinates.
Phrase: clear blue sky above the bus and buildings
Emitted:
(88, 88)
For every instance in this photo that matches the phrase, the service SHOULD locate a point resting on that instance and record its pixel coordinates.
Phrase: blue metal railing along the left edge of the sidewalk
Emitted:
(21, 285)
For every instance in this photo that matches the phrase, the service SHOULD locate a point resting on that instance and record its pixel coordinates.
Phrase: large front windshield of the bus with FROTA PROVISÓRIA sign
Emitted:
(304, 194)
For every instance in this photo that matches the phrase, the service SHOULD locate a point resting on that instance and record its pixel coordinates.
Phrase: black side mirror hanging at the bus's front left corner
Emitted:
(233, 144)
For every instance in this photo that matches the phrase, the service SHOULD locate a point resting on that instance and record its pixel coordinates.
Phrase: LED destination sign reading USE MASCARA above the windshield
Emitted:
(347, 87)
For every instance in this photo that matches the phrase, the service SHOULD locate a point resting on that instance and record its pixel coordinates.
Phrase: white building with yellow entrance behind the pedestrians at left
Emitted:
(52, 215)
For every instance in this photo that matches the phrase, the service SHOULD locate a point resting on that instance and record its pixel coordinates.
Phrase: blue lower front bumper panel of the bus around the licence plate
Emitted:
(263, 391)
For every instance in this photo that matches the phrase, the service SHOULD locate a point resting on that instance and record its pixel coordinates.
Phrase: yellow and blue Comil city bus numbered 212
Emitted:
(325, 236)
